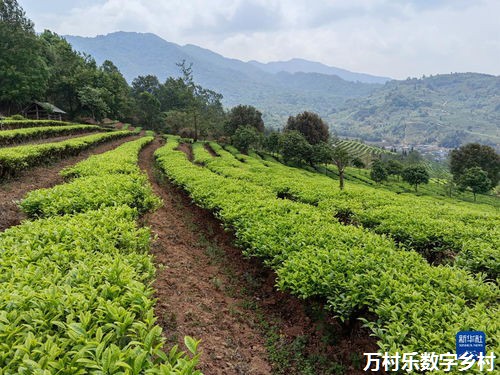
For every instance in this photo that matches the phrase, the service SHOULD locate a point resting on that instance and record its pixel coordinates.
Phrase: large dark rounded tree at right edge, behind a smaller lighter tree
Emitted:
(475, 155)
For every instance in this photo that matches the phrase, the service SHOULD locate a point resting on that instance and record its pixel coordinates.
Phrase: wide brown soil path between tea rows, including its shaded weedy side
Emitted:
(205, 288)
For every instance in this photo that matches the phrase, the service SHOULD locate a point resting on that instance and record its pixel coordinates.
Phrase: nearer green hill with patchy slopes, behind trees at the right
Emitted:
(448, 110)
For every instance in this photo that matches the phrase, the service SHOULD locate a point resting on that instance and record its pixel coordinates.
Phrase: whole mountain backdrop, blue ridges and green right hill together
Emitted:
(444, 109)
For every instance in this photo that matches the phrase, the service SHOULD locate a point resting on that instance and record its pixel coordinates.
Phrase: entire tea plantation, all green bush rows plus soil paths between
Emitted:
(103, 276)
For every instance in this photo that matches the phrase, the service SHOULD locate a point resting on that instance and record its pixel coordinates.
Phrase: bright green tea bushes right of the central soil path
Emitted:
(414, 269)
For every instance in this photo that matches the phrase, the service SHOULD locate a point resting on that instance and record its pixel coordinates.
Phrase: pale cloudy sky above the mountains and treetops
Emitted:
(396, 38)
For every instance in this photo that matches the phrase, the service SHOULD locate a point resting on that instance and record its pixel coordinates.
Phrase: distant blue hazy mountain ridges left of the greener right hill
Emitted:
(278, 95)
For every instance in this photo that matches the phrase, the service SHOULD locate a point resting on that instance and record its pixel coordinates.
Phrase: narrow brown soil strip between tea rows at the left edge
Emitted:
(40, 177)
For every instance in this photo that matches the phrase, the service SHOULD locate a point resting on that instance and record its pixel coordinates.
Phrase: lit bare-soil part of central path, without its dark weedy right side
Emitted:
(192, 288)
